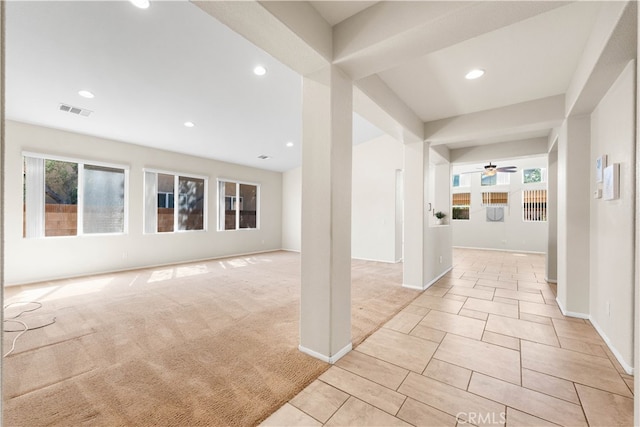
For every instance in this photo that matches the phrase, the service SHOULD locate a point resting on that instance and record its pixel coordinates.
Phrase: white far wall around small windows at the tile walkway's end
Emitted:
(513, 234)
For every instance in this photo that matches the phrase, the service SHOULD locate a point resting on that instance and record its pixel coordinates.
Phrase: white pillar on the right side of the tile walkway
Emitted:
(573, 216)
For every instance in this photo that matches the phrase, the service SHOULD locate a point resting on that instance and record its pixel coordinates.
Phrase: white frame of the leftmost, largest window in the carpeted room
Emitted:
(80, 190)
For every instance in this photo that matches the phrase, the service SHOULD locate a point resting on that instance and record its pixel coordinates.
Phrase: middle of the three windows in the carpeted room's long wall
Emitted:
(162, 189)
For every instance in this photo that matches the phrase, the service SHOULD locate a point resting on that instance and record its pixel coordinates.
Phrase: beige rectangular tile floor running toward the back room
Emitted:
(485, 345)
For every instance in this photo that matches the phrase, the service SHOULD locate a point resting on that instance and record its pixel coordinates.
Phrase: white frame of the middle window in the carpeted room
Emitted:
(176, 201)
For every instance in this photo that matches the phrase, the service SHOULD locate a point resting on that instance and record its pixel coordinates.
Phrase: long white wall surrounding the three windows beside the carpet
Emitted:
(29, 260)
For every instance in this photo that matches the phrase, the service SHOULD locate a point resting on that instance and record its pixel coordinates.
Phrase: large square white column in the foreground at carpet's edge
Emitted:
(325, 307)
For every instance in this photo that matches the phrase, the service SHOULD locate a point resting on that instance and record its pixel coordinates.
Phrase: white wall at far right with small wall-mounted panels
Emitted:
(612, 222)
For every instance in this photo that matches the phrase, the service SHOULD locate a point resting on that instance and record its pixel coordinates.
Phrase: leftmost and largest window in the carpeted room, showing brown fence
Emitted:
(63, 197)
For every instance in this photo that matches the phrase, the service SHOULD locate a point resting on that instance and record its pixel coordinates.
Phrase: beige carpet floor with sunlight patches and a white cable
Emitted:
(207, 343)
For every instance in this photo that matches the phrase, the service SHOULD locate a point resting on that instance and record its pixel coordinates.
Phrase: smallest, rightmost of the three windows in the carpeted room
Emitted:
(238, 205)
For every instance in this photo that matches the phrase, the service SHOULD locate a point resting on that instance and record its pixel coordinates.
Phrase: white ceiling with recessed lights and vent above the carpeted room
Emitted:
(151, 71)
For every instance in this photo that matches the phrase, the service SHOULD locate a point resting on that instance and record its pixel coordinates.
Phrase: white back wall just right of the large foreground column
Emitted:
(373, 228)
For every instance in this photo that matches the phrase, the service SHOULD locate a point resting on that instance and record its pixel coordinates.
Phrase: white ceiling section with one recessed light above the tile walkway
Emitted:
(531, 59)
